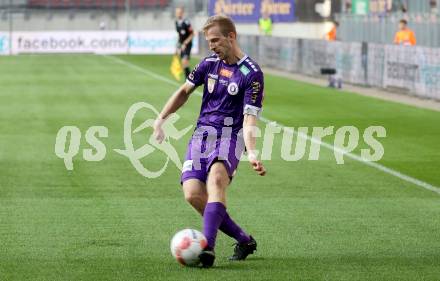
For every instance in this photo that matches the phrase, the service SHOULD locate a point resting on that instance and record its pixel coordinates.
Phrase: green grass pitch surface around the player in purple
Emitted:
(313, 220)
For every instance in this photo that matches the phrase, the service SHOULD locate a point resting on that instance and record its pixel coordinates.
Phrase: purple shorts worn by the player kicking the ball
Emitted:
(202, 153)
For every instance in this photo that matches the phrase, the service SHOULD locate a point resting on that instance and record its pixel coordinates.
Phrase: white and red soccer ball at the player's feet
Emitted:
(187, 245)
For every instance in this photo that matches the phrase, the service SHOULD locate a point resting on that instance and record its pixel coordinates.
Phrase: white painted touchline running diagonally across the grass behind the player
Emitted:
(324, 144)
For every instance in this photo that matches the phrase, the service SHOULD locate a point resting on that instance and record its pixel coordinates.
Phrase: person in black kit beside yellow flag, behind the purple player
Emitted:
(186, 34)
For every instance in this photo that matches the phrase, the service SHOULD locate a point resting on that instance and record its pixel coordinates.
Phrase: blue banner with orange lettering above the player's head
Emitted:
(247, 11)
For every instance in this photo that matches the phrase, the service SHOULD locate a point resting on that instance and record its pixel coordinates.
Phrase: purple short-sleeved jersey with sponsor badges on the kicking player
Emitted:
(230, 90)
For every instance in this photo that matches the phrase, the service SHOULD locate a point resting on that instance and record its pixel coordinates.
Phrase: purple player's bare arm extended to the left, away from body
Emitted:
(176, 101)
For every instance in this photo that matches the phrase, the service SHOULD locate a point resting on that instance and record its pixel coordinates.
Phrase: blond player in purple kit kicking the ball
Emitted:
(231, 103)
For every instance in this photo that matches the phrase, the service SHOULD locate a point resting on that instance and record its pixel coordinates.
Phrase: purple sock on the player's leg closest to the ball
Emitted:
(212, 218)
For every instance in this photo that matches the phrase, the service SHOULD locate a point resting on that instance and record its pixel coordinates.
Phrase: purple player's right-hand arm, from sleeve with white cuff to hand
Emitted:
(253, 101)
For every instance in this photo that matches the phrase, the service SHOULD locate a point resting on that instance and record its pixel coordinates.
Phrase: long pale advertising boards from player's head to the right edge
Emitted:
(409, 70)
